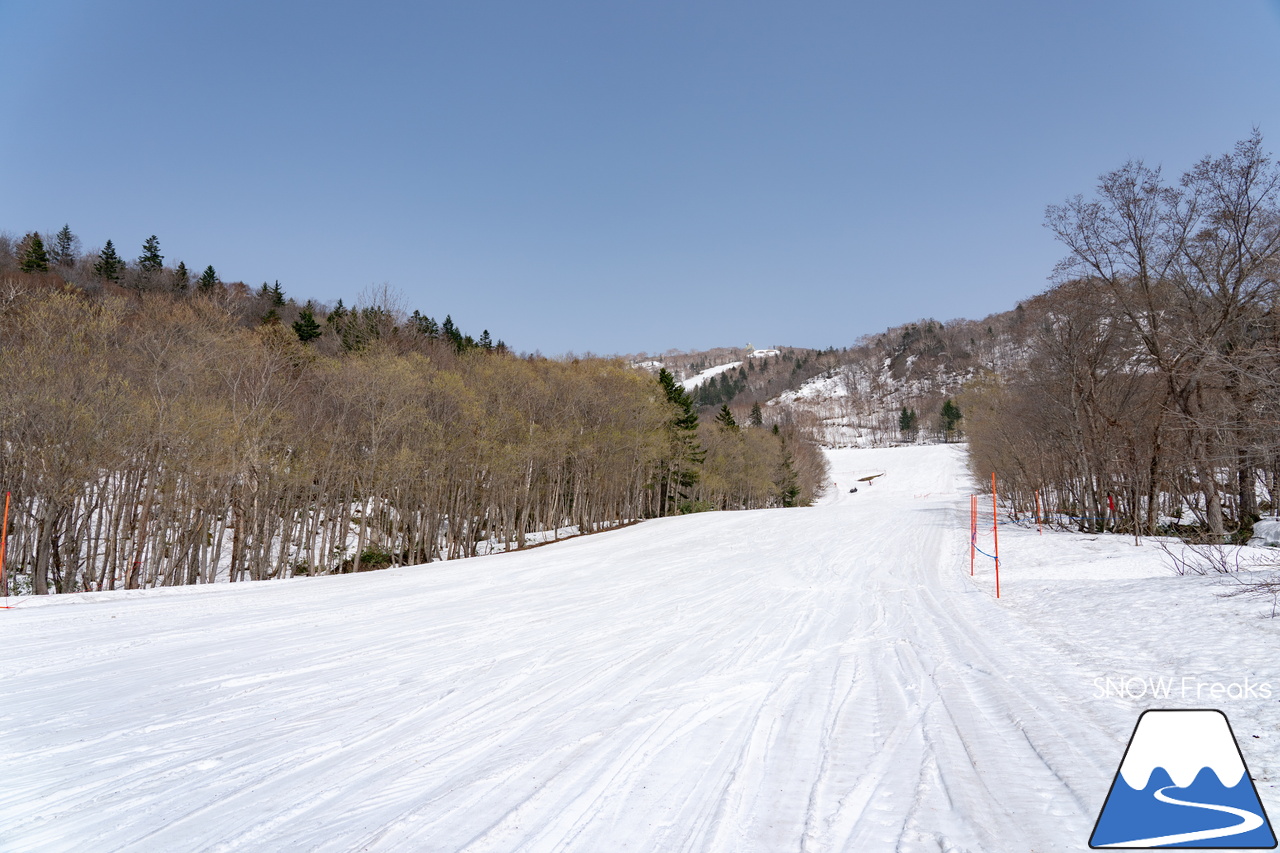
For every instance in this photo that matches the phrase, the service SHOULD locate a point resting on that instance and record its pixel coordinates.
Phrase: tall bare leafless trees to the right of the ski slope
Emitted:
(1149, 396)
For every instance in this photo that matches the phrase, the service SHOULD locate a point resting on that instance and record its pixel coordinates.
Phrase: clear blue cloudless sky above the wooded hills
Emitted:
(616, 176)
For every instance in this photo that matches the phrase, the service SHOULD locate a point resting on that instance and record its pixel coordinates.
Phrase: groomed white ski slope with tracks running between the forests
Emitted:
(778, 681)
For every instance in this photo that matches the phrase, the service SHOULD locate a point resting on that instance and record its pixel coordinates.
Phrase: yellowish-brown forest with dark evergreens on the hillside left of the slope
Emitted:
(162, 430)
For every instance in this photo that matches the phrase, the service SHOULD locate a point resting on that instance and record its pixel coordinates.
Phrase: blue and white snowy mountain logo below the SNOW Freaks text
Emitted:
(1183, 783)
